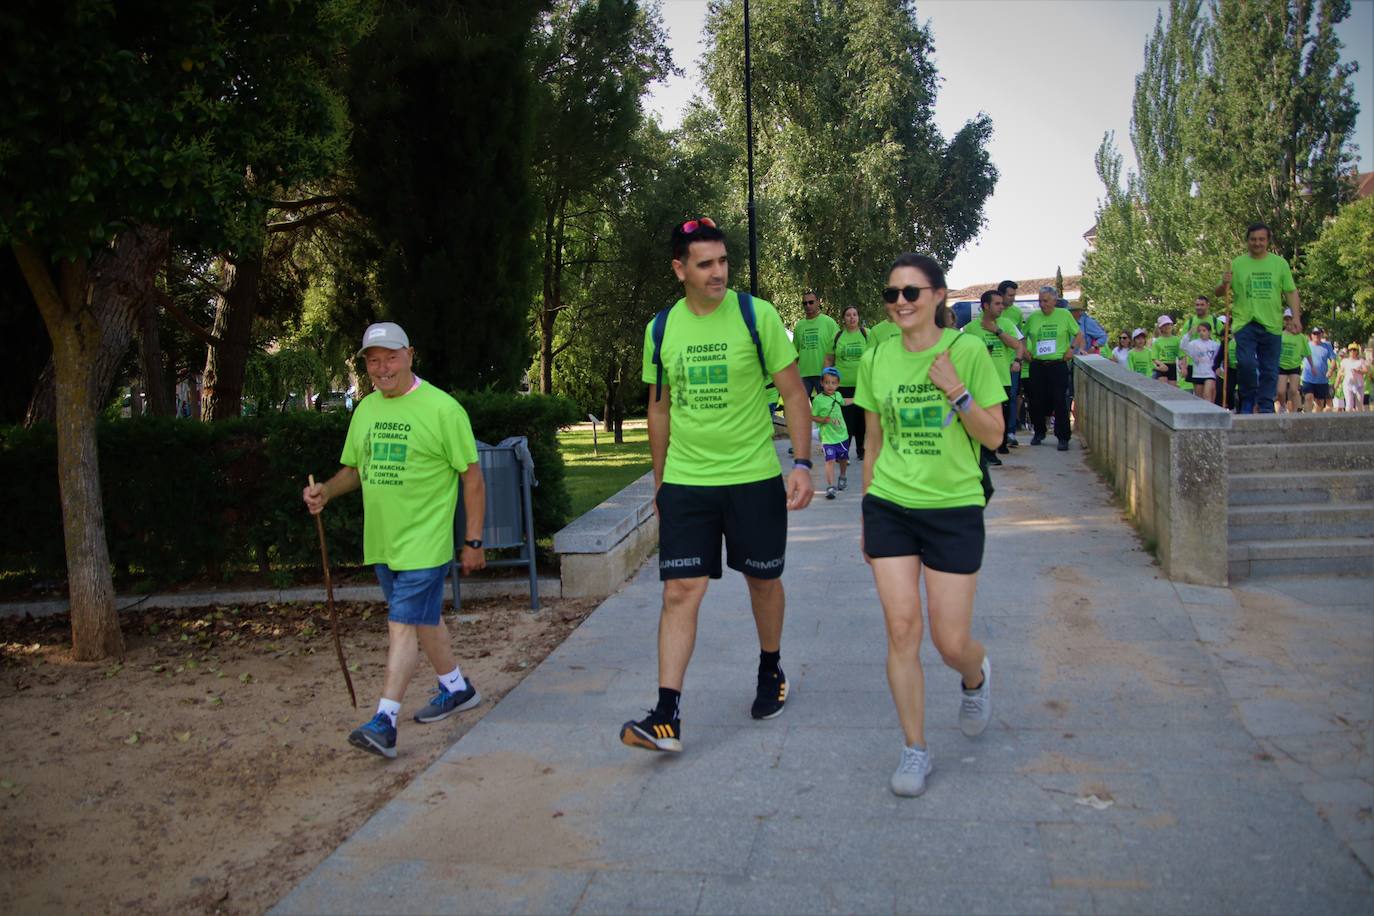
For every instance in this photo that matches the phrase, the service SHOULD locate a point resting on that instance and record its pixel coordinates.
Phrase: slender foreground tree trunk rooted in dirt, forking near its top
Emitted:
(78, 340)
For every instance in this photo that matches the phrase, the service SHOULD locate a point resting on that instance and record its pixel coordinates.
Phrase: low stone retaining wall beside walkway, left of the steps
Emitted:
(1164, 453)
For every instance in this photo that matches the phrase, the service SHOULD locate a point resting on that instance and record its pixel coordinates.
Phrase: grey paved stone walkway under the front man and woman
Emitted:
(1226, 731)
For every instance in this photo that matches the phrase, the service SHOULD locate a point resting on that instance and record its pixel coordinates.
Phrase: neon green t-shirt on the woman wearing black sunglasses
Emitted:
(924, 463)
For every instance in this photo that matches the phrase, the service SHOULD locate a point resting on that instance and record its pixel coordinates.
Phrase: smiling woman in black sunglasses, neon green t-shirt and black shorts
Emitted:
(931, 398)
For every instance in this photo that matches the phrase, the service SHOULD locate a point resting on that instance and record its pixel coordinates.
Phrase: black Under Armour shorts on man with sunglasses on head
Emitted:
(751, 517)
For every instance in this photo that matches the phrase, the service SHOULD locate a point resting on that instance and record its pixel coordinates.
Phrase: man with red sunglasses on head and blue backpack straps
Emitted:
(707, 360)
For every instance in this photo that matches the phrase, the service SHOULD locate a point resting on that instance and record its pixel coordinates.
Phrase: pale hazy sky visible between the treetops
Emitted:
(1055, 76)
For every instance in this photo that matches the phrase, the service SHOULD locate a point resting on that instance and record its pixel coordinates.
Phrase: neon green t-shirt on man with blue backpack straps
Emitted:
(719, 426)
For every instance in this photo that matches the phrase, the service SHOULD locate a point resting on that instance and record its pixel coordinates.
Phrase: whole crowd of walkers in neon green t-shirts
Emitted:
(923, 407)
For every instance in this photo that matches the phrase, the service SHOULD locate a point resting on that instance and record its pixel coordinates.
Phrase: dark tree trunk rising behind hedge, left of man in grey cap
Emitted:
(226, 362)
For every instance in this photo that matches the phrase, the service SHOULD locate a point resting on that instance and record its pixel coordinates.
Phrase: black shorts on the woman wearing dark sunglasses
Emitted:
(946, 540)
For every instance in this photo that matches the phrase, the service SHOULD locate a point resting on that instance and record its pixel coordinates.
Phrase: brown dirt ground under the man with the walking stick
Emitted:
(211, 771)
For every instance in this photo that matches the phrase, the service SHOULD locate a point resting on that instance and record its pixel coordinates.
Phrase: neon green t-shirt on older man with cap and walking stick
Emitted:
(409, 453)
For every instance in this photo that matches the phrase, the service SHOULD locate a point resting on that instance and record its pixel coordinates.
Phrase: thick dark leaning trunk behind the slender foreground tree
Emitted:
(122, 281)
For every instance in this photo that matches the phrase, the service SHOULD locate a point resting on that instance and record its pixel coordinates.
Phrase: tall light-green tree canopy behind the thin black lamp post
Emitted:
(851, 165)
